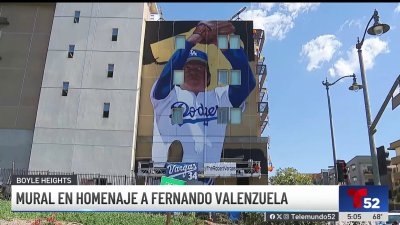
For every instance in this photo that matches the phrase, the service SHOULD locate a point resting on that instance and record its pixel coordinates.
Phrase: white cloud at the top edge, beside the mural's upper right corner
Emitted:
(277, 24)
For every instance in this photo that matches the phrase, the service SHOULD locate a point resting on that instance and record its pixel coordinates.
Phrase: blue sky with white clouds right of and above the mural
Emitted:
(305, 44)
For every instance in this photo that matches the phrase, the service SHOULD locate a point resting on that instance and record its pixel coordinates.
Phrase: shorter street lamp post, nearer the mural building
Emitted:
(354, 87)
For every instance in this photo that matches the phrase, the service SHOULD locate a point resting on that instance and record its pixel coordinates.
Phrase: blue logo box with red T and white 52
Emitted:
(363, 199)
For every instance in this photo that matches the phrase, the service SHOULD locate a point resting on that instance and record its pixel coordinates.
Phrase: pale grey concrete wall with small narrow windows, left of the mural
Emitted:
(70, 130)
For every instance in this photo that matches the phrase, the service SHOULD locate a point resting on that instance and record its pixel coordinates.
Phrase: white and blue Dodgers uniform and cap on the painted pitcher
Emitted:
(202, 138)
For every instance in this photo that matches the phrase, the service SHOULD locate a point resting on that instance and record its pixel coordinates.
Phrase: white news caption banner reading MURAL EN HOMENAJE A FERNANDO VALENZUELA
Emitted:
(283, 202)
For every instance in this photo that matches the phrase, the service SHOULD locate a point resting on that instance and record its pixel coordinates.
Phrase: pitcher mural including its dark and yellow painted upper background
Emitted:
(189, 81)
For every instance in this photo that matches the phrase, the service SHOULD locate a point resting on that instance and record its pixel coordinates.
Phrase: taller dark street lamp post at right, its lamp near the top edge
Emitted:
(376, 29)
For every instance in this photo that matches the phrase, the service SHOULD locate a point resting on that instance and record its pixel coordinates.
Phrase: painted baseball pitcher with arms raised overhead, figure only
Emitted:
(201, 135)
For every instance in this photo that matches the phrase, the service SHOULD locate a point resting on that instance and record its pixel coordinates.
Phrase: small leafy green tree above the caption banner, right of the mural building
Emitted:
(290, 176)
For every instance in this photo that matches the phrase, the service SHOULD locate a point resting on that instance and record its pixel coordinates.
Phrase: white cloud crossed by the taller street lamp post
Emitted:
(372, 47)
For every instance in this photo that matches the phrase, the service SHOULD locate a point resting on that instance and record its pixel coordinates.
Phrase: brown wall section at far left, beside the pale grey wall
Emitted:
(23, 49)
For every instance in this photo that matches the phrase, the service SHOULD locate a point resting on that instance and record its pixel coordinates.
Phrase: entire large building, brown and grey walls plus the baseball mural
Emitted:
(109, 88)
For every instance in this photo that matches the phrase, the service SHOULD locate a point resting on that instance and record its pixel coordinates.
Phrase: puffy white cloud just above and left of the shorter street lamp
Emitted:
(320, 50)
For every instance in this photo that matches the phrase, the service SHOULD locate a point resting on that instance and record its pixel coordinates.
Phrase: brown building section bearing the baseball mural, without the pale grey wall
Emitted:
(201, 98)
